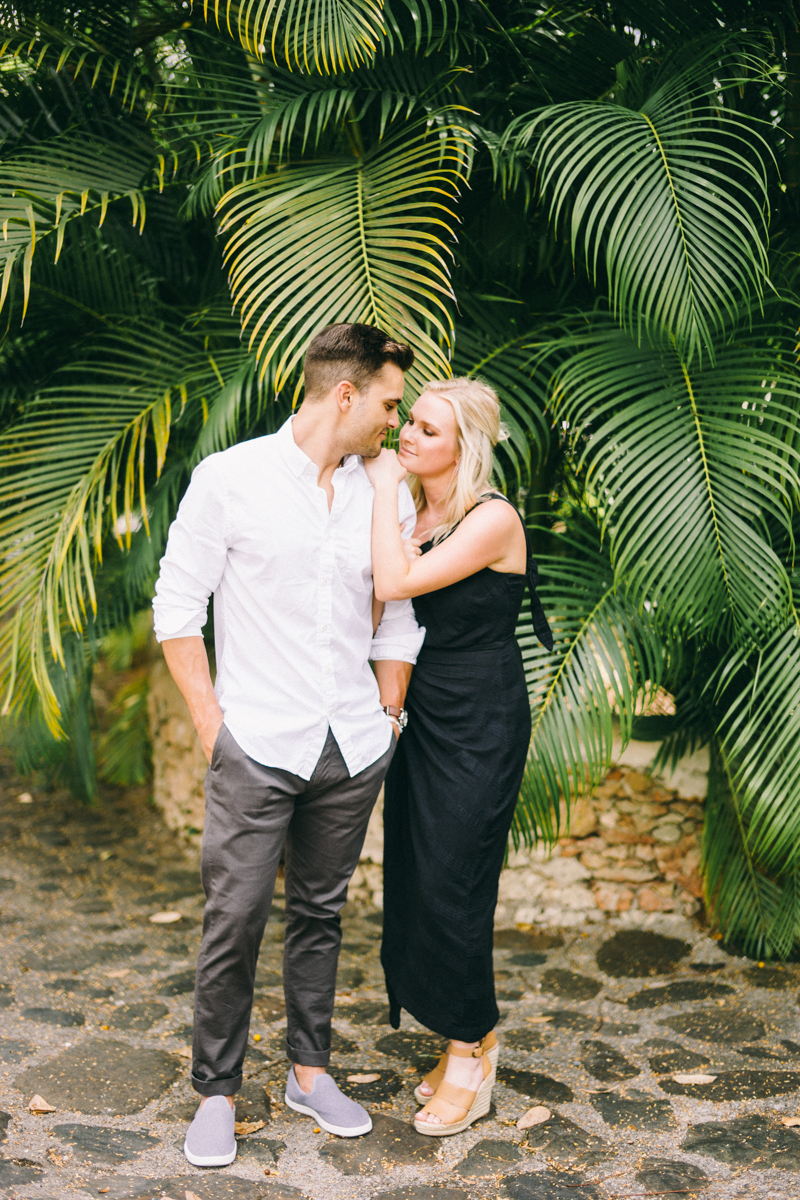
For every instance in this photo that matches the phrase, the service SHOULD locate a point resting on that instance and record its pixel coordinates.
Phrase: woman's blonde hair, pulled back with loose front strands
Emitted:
(478, 431)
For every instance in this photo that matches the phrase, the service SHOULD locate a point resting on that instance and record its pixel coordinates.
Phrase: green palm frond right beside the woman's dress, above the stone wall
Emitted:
(606, 658)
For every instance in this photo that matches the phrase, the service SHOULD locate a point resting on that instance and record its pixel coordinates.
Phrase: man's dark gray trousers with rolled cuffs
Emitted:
(251, 812)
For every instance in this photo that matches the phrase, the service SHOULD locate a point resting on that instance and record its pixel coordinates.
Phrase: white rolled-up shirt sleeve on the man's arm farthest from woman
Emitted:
(195, 557)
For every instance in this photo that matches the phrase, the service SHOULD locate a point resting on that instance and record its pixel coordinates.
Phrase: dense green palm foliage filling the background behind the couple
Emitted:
(574, 205)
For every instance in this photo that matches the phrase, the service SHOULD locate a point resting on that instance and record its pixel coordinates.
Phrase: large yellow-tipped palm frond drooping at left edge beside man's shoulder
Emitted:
(112, 429)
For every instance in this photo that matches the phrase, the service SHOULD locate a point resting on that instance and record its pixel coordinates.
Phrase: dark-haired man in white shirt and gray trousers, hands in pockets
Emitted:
(279, 530)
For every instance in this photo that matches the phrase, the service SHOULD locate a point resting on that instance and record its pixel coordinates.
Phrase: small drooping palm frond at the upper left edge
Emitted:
(68, 178)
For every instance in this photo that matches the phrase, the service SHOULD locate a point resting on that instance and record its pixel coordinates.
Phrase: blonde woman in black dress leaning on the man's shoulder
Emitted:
(454, 783)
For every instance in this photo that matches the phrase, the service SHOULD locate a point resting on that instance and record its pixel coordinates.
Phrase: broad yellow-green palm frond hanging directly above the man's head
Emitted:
(358, 239)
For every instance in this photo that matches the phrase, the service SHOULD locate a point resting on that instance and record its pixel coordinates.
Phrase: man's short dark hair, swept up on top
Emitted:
(351, 352)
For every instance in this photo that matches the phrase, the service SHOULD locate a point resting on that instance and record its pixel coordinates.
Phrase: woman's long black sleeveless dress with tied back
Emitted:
(450, 797)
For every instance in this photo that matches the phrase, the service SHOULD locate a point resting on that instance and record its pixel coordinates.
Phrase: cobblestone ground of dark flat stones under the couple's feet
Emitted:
(600, 1029)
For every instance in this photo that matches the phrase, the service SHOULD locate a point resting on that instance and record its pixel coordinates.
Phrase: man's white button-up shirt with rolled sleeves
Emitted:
(292, 589)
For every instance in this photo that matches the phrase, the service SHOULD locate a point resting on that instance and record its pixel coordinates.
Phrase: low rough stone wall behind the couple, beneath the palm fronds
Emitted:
(633, 847)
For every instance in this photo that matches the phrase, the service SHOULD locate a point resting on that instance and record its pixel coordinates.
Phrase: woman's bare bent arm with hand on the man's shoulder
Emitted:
(490, 537)
